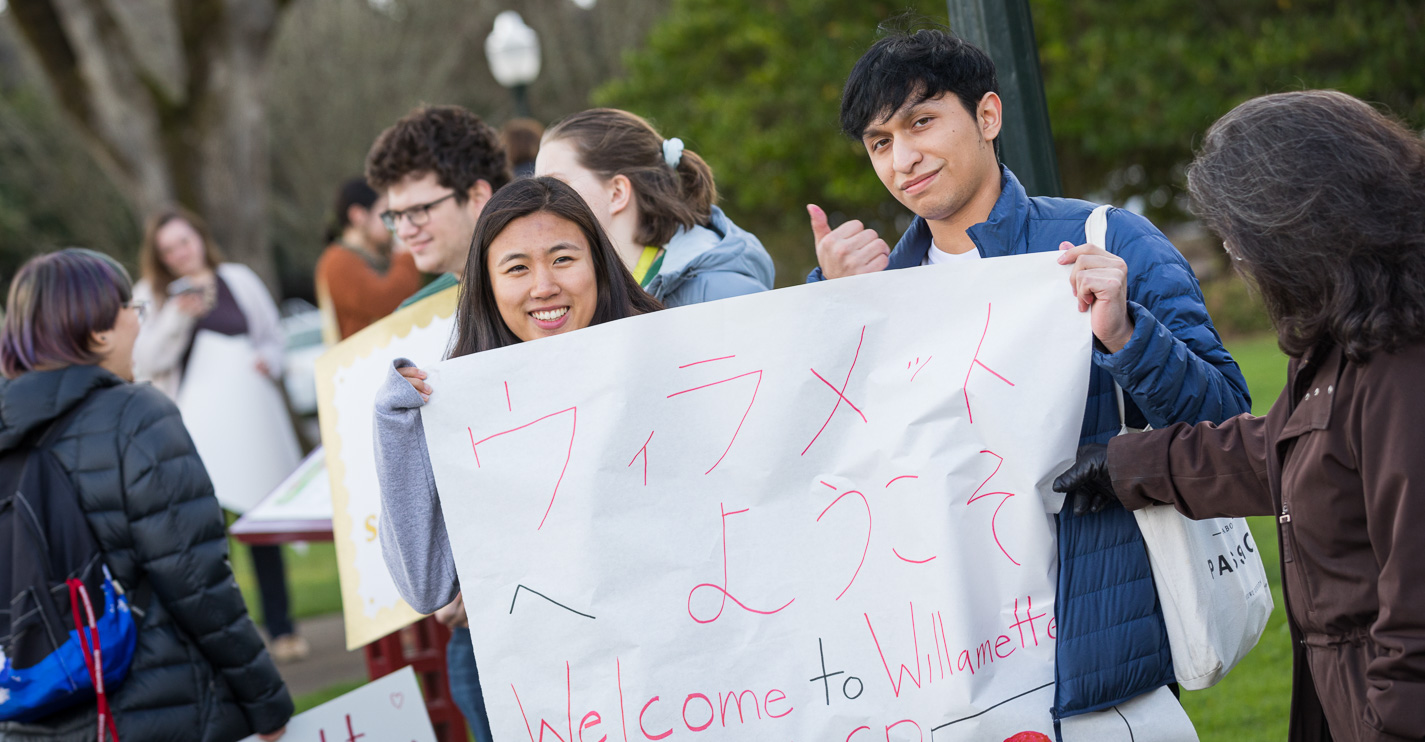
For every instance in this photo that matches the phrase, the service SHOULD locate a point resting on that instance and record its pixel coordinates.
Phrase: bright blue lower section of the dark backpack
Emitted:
(63, 677)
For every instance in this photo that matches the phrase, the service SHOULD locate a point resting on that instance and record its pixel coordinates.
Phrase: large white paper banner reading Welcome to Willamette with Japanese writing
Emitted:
(820, 513)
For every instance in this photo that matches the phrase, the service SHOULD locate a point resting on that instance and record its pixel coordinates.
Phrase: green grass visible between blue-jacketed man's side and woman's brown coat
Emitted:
(1253, 701)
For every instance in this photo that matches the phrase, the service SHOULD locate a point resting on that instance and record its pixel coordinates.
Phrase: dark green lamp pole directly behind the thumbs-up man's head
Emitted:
(1007, 32)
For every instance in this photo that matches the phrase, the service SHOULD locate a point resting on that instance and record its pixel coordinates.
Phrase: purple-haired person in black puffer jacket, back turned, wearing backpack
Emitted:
(200, 672)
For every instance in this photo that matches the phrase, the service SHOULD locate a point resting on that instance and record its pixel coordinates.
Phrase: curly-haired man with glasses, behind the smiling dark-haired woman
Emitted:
(437, 169)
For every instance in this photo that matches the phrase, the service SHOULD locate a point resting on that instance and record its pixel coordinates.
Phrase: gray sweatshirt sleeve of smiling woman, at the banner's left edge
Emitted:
(414, 540)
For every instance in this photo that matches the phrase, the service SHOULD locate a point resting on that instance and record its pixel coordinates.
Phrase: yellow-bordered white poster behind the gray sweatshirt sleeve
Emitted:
(347, 381)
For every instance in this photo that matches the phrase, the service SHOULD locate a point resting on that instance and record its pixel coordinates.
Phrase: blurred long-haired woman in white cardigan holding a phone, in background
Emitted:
(192, 290)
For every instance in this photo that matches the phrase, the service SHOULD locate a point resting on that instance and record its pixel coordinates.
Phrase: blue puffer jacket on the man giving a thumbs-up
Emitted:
(1175, 370)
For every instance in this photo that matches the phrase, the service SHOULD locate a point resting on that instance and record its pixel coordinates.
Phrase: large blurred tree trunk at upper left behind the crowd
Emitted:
(170, 99)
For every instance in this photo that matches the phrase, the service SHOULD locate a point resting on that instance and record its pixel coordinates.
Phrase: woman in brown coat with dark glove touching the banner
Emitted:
(1322, 200)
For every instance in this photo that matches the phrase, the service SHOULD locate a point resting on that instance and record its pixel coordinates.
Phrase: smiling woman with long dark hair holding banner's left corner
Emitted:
(539, 266)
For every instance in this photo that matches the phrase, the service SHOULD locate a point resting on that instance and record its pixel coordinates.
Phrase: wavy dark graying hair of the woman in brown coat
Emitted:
(1322, 199)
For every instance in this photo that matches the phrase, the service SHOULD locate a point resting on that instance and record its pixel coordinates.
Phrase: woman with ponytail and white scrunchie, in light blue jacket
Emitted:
(656, 200)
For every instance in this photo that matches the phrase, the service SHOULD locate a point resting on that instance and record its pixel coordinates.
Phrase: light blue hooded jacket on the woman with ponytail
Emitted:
(712, 263)
